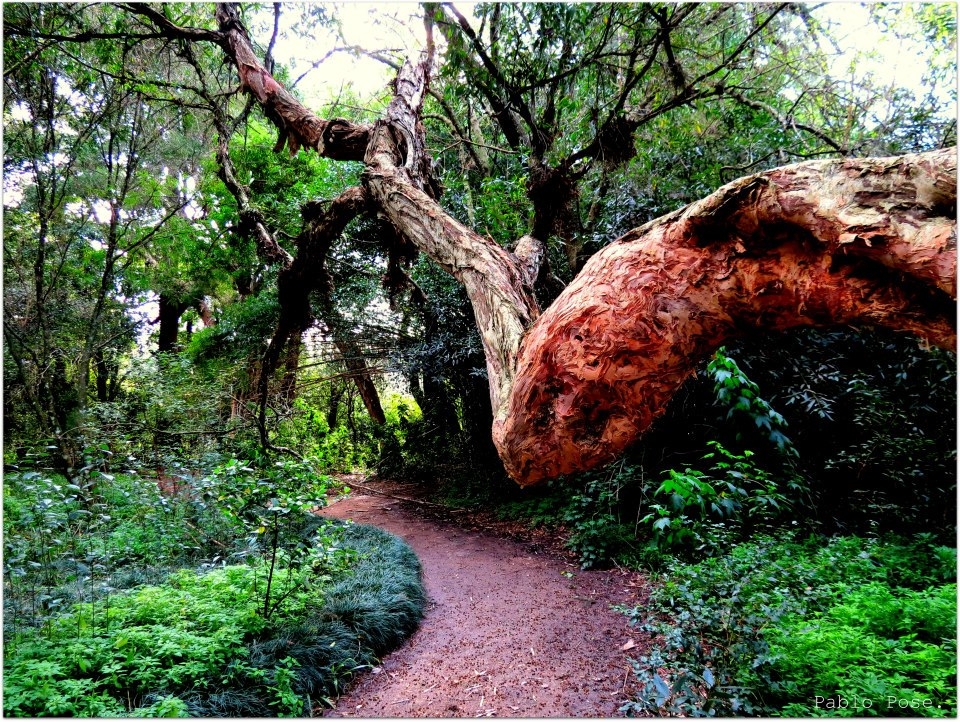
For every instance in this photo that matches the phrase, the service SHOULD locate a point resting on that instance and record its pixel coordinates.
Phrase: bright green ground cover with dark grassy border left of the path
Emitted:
(198, 645)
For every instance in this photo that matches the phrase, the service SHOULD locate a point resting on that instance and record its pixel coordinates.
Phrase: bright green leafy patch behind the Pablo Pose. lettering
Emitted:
(875, 652)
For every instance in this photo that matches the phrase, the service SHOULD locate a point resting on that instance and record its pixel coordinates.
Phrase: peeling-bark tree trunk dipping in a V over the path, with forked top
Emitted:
(867, 241)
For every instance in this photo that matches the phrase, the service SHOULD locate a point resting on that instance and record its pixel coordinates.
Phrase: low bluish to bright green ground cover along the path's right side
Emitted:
(767, 626)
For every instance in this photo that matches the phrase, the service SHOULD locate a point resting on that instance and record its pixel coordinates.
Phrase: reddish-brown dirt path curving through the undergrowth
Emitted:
(513, 628)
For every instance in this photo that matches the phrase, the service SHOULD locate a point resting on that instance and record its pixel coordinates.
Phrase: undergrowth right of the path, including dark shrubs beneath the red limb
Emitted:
(802, 569)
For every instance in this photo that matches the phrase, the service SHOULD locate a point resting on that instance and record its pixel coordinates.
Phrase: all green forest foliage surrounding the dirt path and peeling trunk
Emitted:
(138, 464)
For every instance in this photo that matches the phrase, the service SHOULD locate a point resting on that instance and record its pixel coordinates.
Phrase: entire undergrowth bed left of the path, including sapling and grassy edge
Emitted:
(225, 598)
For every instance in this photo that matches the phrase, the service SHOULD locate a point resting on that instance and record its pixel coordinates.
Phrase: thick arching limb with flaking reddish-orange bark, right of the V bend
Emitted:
(868, 241)
